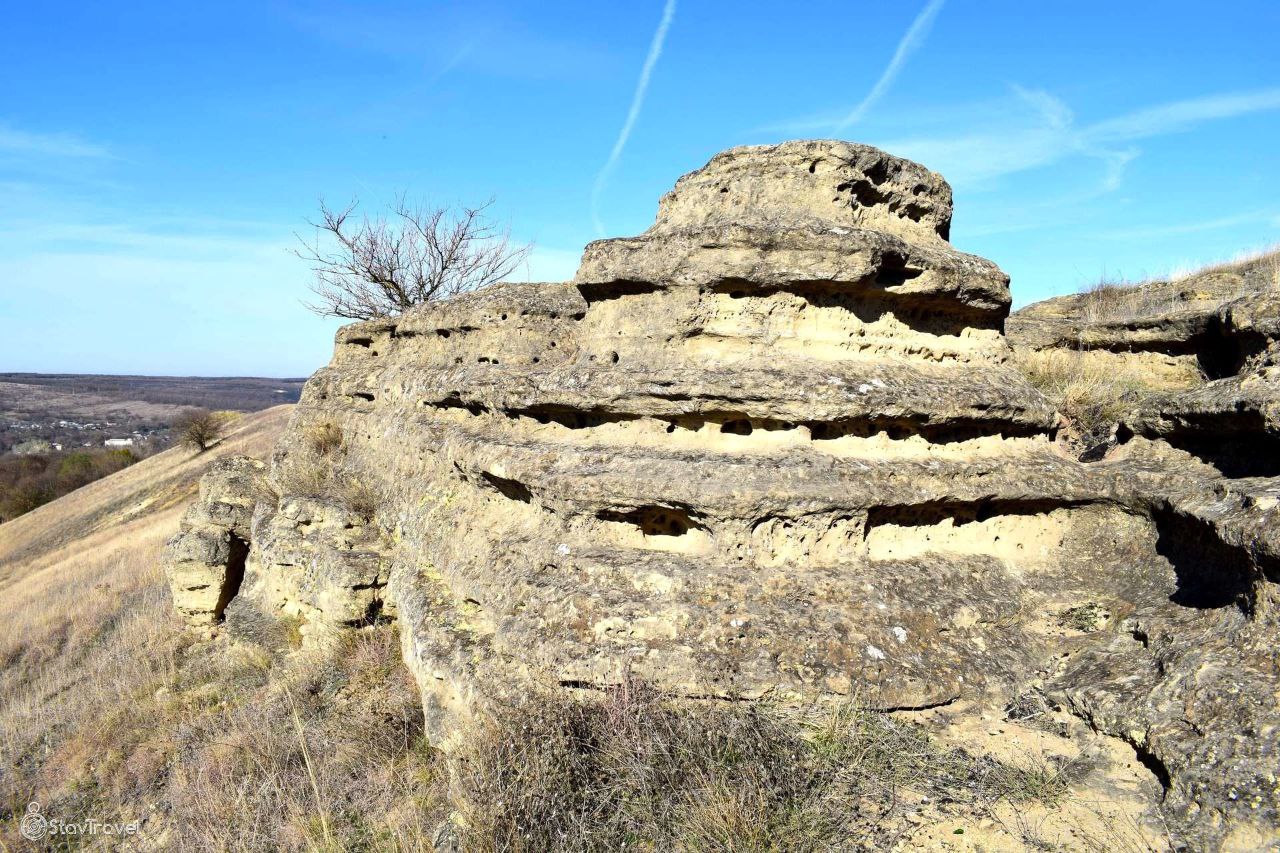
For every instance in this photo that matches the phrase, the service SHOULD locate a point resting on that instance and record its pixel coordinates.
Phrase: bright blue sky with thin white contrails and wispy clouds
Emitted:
(158, 158)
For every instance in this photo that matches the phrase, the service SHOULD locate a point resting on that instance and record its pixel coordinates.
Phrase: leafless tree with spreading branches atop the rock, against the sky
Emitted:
(386, 266)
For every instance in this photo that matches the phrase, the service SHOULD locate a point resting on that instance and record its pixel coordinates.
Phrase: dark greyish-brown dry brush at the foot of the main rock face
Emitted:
(634, 772)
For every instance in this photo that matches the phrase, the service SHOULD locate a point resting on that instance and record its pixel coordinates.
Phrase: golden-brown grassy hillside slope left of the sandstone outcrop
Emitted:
(112, 711)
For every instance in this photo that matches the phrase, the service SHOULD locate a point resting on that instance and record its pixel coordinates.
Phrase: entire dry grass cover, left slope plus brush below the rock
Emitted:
(111, 709)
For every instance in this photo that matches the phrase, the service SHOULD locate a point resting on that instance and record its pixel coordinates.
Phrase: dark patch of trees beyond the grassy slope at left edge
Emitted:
(29, 482)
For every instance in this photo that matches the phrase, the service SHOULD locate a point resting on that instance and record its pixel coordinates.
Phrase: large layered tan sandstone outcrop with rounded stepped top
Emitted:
(774, 448)
